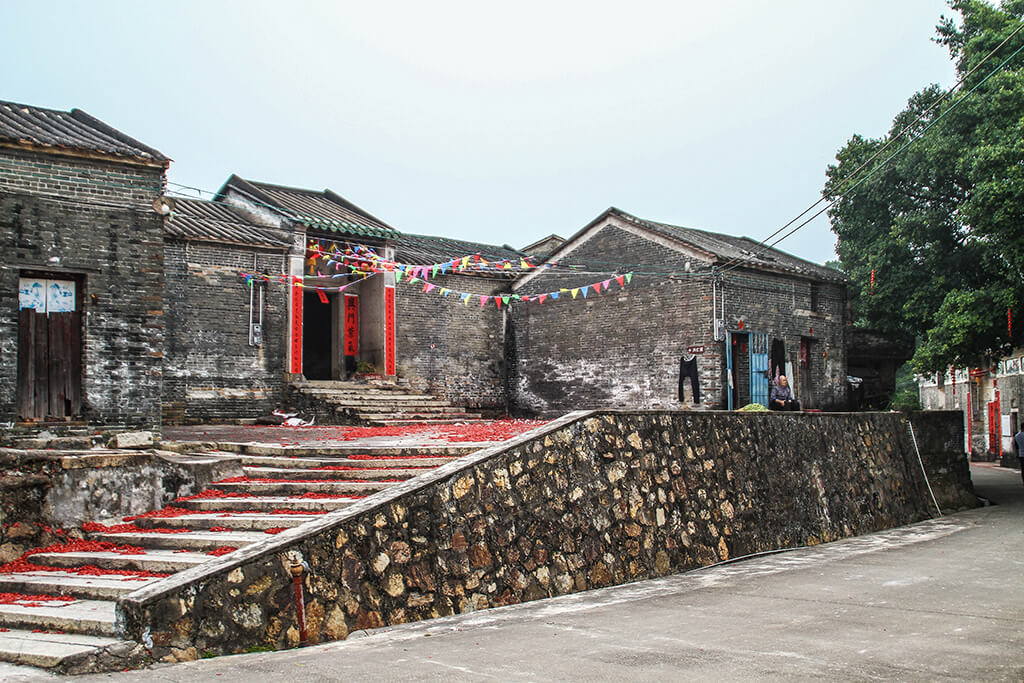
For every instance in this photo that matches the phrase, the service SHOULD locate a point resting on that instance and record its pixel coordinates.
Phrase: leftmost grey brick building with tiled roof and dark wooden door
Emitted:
(82, 270)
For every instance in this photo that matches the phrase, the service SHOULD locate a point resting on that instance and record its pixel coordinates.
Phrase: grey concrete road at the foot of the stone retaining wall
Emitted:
(944, 600)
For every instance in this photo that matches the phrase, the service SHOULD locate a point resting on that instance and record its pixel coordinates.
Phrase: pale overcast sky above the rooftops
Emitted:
(498, 123)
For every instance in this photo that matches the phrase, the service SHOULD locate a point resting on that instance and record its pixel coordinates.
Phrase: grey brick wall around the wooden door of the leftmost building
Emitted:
(112, 242)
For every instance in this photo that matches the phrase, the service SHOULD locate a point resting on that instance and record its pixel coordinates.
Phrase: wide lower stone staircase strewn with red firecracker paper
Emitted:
(58, 605)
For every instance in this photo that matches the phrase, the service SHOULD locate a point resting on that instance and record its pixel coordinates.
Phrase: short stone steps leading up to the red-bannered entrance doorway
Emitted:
(339, 403)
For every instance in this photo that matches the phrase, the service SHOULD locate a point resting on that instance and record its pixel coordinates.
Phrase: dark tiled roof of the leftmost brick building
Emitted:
(69, 131)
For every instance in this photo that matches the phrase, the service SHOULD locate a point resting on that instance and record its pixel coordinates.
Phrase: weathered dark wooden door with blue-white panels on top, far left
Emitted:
(50, 350)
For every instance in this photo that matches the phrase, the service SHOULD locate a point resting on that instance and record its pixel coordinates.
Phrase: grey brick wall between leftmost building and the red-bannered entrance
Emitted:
(211, 374)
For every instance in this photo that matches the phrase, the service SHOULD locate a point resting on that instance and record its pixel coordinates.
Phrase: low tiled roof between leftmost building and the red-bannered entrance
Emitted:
(215, 222)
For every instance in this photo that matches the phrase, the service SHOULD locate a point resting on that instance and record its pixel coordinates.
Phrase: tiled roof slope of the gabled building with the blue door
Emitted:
(731, 249)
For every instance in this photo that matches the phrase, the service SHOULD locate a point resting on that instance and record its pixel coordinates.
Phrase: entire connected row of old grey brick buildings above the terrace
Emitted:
(215, 311)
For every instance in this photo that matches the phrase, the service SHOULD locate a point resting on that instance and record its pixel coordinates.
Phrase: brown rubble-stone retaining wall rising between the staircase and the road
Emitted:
(591, 500)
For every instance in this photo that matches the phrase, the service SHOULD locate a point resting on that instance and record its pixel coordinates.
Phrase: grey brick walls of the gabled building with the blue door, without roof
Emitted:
(622, 349)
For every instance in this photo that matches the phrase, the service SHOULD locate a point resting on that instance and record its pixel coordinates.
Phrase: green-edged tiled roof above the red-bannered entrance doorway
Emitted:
(323, 210)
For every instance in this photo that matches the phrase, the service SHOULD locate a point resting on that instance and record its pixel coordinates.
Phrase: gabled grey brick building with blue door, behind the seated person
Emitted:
(743, 313)
